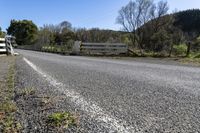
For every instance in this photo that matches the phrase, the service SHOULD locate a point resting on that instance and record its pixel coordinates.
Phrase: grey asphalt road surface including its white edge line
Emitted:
(124, 96)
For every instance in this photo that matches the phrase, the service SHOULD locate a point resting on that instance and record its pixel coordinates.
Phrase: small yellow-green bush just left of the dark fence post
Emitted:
(180, 49)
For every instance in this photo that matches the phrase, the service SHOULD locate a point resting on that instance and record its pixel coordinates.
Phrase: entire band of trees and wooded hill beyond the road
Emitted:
(147, 27)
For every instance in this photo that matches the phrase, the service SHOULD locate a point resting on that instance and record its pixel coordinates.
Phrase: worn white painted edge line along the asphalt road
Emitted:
(92, 109)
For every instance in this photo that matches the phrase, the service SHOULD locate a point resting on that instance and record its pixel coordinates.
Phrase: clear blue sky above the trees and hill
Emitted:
(81, 13)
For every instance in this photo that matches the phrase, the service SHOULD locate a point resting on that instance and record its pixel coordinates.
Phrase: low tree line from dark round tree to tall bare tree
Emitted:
(27, 33)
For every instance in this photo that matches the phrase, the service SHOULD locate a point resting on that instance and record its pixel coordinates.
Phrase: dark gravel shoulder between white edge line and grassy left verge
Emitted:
(35, 108)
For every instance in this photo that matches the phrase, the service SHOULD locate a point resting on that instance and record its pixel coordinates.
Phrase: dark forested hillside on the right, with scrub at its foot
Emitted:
(178, 32)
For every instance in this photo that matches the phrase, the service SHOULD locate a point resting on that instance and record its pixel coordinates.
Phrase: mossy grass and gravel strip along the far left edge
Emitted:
(8, 108)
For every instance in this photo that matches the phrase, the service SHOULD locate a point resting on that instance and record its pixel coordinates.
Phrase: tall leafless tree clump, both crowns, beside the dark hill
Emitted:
(137, 13)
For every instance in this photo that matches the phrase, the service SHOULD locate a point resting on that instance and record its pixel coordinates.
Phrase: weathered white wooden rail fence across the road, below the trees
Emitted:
(100, 48)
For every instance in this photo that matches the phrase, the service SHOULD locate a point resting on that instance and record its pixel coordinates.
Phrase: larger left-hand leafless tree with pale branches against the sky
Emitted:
(133, 16)
